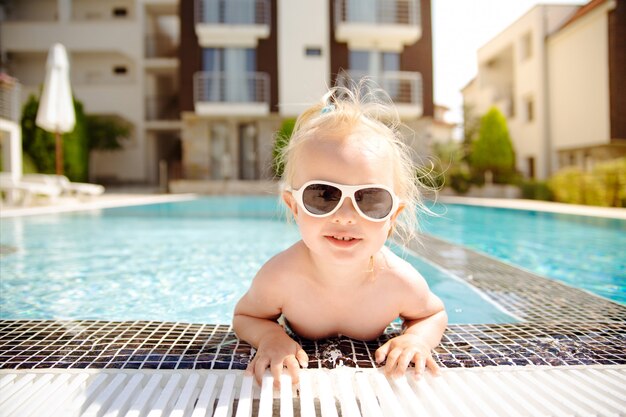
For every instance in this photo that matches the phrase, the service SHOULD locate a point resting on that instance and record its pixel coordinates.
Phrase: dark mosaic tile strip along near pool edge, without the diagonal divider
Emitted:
(159, 345)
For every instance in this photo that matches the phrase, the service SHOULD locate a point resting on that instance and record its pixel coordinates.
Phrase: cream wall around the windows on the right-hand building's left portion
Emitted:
(528, 77)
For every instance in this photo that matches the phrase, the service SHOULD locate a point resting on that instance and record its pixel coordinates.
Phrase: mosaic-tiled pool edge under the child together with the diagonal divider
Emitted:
(561, 326)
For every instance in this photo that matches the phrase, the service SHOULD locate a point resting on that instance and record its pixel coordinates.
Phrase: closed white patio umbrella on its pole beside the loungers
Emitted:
(56, 107)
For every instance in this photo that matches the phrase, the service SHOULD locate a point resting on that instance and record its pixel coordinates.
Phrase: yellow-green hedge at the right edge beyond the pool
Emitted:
(605, 185)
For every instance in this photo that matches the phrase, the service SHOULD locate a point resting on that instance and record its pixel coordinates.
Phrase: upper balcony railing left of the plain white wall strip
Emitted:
(233, 12)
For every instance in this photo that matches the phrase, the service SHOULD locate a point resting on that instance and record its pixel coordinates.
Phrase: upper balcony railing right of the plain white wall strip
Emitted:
(395, 12)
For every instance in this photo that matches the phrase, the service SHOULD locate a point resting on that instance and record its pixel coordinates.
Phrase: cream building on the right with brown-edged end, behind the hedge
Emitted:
(556, 74)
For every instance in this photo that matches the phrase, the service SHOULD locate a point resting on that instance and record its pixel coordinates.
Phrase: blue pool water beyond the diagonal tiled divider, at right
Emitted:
(582, 251)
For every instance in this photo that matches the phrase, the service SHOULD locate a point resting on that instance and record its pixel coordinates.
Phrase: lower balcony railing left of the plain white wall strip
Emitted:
(222, 87)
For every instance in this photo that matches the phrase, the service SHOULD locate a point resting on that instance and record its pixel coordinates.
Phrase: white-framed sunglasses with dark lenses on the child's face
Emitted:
(374, 202)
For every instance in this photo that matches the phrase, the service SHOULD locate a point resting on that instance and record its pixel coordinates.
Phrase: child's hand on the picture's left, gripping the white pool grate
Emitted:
(278, 351)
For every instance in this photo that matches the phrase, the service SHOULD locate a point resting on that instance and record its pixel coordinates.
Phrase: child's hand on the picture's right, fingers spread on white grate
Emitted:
(401, 351)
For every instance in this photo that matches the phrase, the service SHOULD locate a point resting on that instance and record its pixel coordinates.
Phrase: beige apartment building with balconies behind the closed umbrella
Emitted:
(123, 57)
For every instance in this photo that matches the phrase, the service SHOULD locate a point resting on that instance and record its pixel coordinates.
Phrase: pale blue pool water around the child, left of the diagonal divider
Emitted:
(187, 261)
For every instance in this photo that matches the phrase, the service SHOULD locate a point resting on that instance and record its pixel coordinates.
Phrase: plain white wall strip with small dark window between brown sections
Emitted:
(302, 79)
